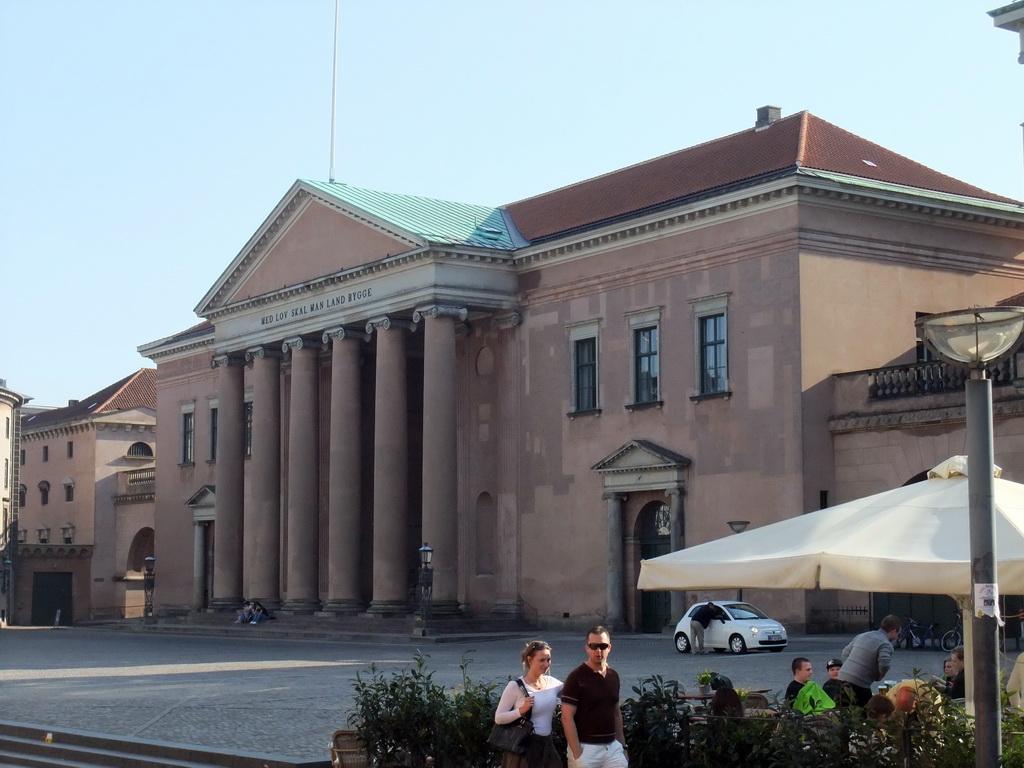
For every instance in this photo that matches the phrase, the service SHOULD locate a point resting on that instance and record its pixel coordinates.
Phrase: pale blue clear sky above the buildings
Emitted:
(143, 144)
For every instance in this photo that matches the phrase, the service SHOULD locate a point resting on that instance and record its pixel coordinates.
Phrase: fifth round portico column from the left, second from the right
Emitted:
(391, 471)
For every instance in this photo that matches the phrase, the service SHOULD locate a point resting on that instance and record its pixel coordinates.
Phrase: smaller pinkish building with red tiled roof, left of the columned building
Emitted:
(87, 496)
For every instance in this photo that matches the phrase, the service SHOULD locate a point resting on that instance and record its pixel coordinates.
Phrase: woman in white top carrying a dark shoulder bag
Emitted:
(544, 693)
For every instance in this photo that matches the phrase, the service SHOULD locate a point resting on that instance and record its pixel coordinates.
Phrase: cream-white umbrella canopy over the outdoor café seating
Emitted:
(913, 539)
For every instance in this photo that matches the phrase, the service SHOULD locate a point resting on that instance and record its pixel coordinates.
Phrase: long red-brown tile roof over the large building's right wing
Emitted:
(783, 148)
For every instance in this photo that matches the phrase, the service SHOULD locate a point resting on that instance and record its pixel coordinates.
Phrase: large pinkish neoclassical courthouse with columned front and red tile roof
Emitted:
(550, 391)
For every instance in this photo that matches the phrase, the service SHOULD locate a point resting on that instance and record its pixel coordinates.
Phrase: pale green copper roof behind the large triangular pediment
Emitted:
(435, 221)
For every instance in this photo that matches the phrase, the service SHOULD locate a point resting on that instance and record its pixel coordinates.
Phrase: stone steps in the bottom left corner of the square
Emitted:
(27, 746)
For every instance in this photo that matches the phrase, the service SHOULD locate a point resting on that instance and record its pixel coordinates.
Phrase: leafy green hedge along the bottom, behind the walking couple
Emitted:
(405, 717)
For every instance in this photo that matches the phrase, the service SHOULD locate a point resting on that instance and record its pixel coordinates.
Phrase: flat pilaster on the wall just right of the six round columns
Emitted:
(507, 601)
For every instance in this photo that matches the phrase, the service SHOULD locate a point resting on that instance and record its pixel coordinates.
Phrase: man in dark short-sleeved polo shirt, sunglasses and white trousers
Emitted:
(591, 716)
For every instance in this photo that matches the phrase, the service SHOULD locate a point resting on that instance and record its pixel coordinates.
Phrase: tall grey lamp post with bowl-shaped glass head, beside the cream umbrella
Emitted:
(975, 339)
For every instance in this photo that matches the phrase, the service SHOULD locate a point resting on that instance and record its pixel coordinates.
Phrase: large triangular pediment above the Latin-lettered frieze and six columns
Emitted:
(308, 237)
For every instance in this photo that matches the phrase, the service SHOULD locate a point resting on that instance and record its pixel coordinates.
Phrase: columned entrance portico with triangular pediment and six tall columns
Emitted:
(347, 481)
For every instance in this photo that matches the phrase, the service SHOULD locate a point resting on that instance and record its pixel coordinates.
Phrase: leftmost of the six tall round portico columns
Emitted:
(230, 481)
